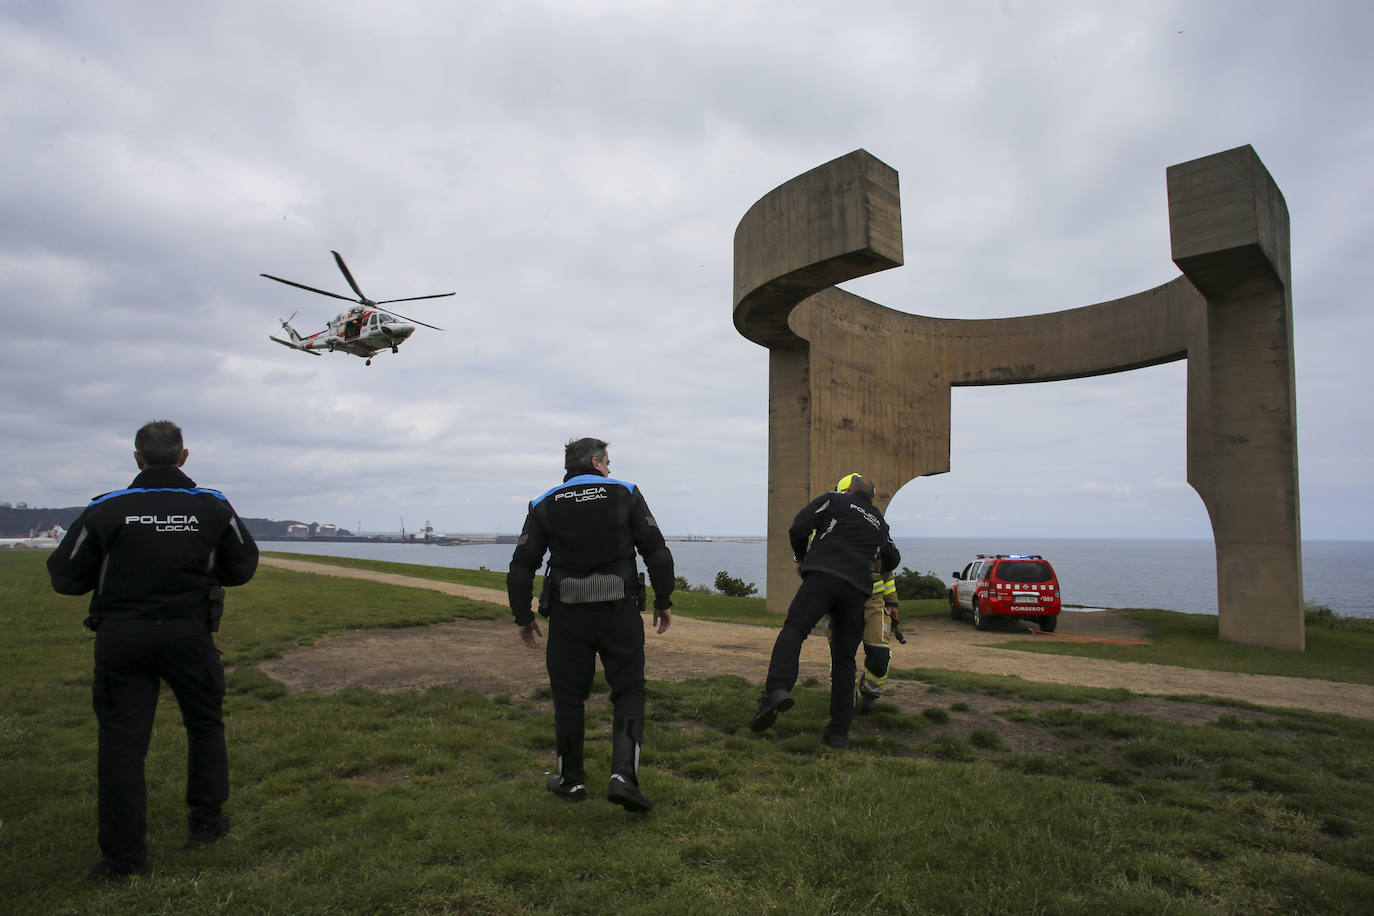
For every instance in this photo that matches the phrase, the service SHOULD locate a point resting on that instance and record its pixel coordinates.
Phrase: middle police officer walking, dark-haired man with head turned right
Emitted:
(593, 525)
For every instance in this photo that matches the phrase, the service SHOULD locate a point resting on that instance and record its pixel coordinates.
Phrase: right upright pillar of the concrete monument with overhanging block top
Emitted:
(1230, 237)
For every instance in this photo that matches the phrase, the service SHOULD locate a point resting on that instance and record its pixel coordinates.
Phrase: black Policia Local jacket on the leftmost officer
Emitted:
(156, 550)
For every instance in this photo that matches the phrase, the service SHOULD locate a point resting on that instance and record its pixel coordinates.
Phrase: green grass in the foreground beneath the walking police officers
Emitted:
(1057, 801)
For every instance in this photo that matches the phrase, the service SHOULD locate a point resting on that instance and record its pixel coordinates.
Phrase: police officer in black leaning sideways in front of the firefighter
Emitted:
(836, 539)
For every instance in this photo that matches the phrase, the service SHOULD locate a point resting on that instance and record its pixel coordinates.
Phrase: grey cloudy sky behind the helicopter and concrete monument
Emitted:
(575, 171)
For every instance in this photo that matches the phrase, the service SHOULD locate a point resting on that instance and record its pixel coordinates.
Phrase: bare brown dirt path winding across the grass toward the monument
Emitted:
(488, 657)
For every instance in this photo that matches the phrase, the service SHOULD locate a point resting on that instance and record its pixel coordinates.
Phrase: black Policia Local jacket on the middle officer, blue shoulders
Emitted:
(589, 524)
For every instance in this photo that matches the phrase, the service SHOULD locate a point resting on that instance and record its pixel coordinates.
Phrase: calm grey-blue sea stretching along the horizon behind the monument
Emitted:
(1171, 575)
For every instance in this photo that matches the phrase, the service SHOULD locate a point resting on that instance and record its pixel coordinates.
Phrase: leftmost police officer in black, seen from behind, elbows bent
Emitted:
(156, 557)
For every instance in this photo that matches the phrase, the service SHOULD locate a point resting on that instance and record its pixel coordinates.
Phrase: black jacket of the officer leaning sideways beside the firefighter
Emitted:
(842, 535)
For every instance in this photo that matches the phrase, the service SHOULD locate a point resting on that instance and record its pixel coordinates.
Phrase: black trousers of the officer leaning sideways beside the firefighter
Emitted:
(822, 594)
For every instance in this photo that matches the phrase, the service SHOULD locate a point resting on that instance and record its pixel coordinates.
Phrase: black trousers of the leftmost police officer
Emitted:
(131, 659)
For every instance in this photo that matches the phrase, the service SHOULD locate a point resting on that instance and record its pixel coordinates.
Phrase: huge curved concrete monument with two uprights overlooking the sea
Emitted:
(857, 385)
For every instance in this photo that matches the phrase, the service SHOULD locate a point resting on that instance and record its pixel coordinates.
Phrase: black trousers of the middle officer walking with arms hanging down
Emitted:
(578, 635)
